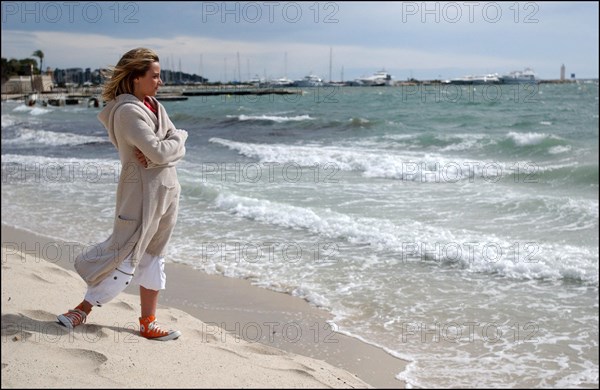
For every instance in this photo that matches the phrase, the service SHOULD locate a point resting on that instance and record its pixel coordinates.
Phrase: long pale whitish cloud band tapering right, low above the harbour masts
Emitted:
(65, 50)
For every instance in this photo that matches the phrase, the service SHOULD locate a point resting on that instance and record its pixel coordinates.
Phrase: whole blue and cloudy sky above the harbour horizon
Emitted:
(226, 41)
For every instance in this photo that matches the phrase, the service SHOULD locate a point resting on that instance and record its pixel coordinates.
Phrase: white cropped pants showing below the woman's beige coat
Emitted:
(150, 273)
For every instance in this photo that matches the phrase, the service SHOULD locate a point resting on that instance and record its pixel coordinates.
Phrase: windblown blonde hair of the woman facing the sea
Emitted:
(135, 63)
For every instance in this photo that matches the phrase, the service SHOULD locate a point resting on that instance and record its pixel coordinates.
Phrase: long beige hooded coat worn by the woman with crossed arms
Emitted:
(147, 198)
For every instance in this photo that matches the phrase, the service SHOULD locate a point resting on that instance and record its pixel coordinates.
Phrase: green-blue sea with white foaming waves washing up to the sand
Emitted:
(456, 227)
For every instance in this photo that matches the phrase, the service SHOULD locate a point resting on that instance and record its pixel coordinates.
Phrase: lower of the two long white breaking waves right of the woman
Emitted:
(414, 241)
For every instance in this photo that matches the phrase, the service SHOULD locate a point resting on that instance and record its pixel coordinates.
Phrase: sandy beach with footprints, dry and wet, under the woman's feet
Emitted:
(229, 347)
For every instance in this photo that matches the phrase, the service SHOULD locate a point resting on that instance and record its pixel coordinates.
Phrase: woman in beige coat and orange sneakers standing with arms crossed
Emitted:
(148, 191)
